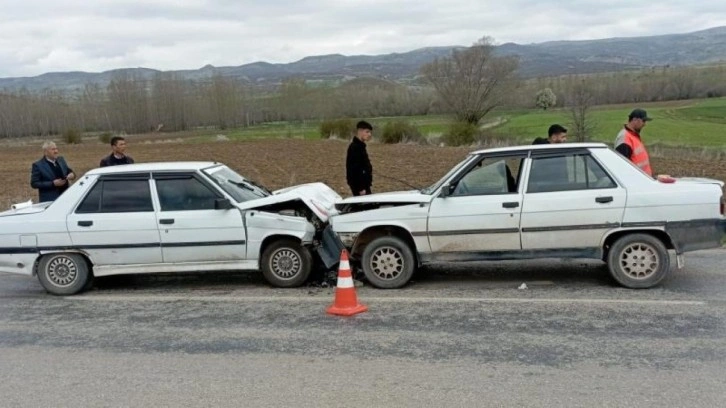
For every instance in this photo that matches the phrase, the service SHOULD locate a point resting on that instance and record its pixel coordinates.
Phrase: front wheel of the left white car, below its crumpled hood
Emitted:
(286, 263)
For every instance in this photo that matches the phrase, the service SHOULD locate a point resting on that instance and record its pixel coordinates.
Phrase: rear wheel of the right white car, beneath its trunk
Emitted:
(638, 261)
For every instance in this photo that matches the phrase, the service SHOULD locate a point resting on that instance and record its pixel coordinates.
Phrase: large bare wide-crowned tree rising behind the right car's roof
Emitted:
(472, 81)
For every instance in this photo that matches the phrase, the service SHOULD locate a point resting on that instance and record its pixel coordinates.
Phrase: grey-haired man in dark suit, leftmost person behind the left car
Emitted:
(50, 175)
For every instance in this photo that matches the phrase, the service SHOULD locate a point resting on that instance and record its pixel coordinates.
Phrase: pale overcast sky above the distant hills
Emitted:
(38, 36)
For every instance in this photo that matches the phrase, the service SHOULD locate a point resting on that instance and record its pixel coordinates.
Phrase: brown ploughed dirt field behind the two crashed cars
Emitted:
(278, 163)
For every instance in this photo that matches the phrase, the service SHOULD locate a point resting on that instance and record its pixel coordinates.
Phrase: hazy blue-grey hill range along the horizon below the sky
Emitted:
(541, 59)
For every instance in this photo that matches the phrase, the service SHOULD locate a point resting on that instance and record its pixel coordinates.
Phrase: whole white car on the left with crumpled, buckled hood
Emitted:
(167, 217)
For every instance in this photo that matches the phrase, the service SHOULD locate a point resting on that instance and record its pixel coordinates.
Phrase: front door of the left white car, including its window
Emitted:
(193, 227)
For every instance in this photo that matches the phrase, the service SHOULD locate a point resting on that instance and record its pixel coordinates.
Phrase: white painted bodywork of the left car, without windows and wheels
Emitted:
(135, 242)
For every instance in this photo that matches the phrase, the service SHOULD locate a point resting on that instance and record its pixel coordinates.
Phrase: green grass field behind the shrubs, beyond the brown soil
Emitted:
(692, 123)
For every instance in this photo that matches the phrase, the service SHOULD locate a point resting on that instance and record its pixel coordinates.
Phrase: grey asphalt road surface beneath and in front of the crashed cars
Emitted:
(461, 336)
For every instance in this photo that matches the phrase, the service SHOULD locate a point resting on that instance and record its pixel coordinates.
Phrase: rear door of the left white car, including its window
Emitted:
(115, 222)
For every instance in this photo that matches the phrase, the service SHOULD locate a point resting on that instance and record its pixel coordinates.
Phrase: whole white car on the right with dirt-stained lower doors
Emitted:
(563, 200)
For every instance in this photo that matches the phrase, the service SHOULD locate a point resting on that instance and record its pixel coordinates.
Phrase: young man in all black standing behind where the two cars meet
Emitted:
(358, 168)
